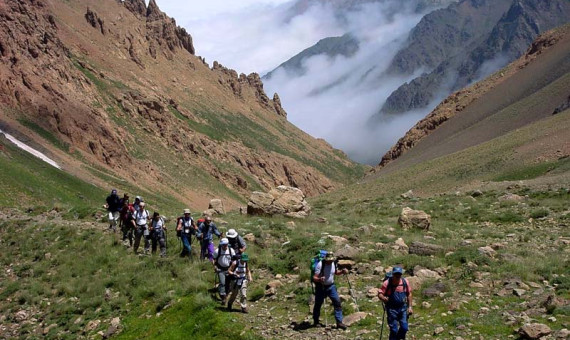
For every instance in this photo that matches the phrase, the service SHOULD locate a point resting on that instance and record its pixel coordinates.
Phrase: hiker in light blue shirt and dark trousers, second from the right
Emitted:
(325, 271)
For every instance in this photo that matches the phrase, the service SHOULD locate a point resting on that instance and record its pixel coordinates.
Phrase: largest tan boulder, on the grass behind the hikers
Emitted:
(282, 200)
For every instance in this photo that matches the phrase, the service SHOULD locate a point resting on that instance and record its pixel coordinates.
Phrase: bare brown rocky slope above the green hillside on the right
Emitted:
(545, 63)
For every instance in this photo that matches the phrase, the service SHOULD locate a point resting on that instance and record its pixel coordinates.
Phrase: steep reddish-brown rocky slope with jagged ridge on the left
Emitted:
(114, 88)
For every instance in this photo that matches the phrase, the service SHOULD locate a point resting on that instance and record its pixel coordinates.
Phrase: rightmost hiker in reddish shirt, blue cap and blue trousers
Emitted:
(396, 295)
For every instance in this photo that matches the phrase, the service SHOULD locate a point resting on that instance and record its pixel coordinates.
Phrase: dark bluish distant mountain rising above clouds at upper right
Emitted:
(466, 41)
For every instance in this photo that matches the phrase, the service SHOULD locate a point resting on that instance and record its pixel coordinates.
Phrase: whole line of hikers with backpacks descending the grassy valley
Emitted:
(231, 262)
